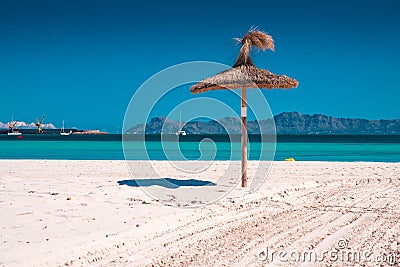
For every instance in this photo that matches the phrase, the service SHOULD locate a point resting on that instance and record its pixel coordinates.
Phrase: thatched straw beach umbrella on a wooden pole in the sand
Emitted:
(245, 75)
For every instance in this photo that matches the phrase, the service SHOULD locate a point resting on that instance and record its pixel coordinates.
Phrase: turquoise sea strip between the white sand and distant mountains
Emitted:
(308, 148)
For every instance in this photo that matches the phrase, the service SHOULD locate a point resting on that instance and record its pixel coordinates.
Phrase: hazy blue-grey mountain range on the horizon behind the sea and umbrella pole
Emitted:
(285, 123)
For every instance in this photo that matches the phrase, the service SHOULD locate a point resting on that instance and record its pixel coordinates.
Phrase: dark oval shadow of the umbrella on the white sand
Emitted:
(165, 182)
